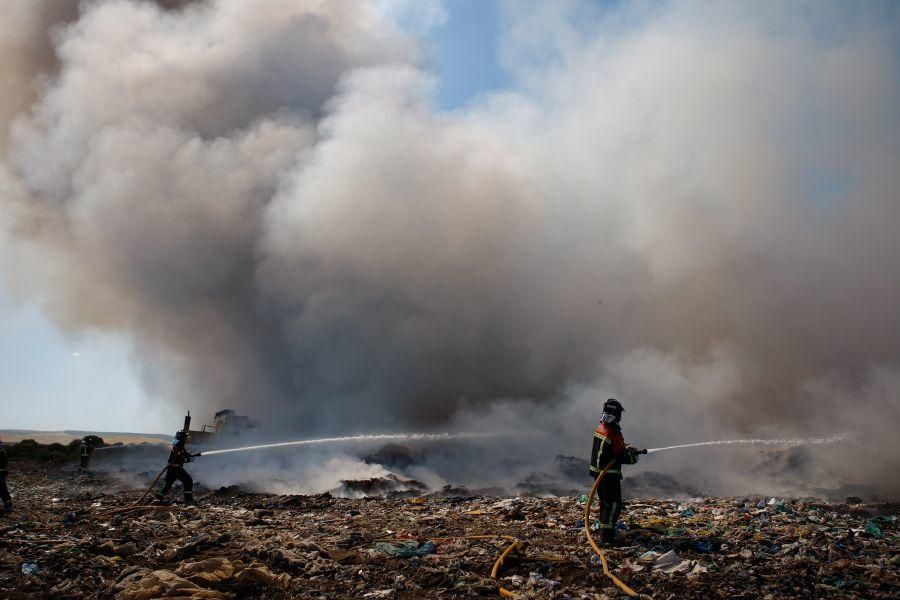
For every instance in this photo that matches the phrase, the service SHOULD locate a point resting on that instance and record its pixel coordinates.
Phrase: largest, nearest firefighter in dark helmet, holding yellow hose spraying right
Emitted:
(609, 447)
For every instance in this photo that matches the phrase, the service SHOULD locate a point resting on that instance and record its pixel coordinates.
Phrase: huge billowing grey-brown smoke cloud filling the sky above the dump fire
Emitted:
(693, 207)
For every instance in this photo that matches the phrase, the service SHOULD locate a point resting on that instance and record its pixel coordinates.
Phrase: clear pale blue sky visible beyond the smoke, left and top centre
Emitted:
(49, 381)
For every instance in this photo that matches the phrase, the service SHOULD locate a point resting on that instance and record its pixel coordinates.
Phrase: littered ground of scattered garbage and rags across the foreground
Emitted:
(78, 537)
